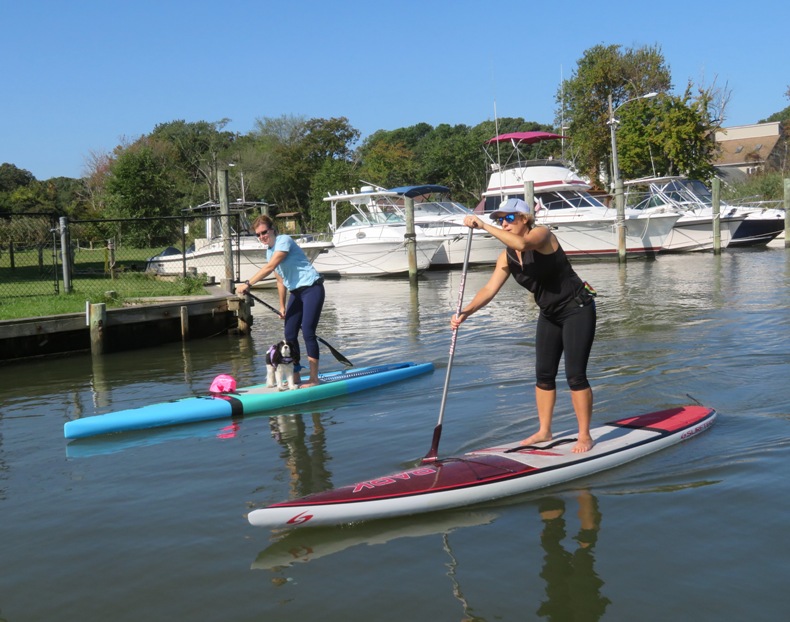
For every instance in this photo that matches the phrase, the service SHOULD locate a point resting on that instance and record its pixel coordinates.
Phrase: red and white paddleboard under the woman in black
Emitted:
(488, 474)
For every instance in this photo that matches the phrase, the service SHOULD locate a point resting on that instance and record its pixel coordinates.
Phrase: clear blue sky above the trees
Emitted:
(81, 75)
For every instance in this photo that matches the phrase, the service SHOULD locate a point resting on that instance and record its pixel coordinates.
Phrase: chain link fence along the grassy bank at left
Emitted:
(134, 257)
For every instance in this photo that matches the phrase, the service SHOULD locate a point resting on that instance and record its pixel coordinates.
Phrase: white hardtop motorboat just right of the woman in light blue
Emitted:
(372, 242)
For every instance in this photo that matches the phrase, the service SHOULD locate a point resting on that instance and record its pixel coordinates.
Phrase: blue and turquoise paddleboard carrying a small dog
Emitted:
(245, 401)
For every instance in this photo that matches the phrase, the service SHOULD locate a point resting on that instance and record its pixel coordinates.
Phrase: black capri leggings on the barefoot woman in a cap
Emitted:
(571, 331)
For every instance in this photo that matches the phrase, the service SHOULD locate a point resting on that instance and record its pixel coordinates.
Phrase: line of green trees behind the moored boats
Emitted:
(292, 162)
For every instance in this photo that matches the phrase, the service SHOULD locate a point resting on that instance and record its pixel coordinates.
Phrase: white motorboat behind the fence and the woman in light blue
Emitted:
(207, 254)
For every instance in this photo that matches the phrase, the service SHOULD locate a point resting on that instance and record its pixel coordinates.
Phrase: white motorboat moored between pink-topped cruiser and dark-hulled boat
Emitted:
(694, 230)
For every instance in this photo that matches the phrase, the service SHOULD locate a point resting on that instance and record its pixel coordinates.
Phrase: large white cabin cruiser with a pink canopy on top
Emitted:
(585, 227)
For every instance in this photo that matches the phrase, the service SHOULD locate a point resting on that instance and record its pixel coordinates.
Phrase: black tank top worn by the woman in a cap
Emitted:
(551, 278)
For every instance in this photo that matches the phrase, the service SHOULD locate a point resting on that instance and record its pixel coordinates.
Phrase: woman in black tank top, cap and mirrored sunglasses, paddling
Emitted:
(566, 323)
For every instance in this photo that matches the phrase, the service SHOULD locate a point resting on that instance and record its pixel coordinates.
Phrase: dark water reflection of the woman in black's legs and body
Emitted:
(573, 588)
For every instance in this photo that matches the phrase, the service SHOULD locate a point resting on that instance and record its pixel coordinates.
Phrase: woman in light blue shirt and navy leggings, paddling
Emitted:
(296, 274)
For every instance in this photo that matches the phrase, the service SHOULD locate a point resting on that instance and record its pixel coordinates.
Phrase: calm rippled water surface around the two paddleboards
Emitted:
(151, 525)
